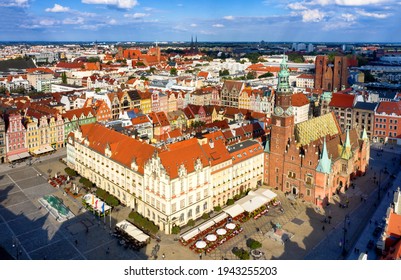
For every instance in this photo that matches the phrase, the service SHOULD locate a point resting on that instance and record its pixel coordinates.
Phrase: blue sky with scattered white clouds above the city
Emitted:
(207, 20)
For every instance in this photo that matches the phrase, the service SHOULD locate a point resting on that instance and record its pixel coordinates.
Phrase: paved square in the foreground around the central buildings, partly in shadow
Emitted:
(28, 231)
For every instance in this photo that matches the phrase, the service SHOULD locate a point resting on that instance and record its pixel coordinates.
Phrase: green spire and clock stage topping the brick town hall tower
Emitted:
(284, 91)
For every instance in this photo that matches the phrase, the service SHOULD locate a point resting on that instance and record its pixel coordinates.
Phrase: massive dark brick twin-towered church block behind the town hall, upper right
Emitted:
(331, 77)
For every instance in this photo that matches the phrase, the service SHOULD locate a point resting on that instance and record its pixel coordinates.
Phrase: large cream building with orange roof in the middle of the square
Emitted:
(169, 185)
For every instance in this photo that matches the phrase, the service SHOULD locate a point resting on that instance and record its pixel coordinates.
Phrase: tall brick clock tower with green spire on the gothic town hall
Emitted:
(283, 115)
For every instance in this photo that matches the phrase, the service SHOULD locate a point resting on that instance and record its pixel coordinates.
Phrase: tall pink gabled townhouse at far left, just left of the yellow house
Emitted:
(15, 136)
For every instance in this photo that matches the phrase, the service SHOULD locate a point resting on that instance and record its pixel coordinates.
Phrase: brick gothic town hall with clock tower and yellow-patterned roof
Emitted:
(312, 159)
